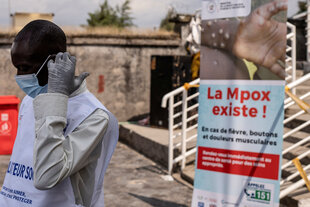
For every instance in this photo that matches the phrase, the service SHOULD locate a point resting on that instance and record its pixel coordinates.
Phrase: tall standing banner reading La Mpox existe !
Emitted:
(240, 125)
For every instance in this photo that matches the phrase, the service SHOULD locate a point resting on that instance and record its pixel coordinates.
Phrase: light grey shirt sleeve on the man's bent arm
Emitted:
(56, 157)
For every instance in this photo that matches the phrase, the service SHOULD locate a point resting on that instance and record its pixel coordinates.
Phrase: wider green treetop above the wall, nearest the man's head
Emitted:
(108, 16)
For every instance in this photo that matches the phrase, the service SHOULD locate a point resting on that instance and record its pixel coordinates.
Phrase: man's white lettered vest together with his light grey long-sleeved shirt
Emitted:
(63, 161)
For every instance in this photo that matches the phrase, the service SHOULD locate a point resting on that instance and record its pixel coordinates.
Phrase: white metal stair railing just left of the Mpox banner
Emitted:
(183, 114)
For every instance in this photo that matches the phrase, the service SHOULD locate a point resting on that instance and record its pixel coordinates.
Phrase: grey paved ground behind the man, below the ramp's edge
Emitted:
(133, 180)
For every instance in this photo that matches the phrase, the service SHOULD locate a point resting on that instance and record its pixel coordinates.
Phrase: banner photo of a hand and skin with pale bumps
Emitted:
(251, 47)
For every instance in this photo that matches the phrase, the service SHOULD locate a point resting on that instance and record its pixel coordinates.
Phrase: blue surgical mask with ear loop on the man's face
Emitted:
(29, 83)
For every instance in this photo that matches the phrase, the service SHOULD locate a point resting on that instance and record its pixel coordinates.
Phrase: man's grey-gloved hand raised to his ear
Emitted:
(61, 77)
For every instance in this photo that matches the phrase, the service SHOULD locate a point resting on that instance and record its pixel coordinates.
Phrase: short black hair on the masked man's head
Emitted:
(43, 32)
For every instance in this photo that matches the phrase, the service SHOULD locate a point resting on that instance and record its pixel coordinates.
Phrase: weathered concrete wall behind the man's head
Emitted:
(119, 68)
